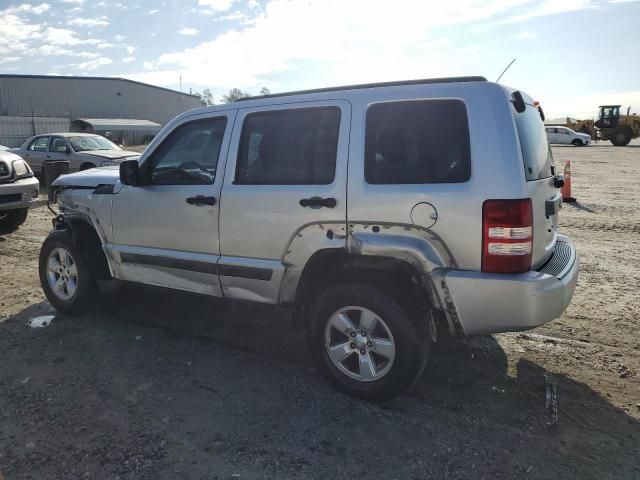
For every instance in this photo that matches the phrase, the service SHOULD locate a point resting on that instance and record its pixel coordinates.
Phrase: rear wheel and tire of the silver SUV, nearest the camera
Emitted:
(366, 342)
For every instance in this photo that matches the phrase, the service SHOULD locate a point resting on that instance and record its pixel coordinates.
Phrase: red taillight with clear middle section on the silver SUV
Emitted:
(507, 239)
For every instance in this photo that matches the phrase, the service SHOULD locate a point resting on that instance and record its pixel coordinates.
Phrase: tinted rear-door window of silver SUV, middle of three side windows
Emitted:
(289, 147)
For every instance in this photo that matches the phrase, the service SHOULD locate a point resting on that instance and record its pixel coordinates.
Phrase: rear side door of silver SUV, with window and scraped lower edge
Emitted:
(286, 177)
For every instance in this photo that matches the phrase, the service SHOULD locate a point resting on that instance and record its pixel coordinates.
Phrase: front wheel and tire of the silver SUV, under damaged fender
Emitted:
(65, 276)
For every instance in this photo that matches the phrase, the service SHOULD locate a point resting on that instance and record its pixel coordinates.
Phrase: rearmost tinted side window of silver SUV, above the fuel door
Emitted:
(417, 142)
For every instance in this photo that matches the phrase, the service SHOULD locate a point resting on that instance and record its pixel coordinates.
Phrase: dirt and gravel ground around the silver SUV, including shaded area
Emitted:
(157, 385)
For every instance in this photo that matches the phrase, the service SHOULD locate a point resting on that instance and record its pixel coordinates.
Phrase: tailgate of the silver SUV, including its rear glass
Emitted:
(539, 171)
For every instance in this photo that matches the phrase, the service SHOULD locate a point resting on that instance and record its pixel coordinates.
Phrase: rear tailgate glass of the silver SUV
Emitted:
(538, 160)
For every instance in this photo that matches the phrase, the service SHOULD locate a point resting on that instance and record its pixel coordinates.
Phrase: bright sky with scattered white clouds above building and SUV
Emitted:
(572, 55)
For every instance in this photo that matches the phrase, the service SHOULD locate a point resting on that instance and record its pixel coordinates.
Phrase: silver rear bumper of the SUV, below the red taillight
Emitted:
(492, 302)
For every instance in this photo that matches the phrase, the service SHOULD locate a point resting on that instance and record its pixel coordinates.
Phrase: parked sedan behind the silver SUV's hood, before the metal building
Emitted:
(82, 150)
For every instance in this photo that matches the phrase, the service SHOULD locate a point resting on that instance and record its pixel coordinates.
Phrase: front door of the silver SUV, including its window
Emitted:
(166, 232)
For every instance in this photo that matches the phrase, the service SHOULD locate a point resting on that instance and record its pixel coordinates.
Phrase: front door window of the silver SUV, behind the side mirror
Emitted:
(189, 155)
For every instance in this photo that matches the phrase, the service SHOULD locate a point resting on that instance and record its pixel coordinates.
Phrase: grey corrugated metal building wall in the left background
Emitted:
(74, 97)
